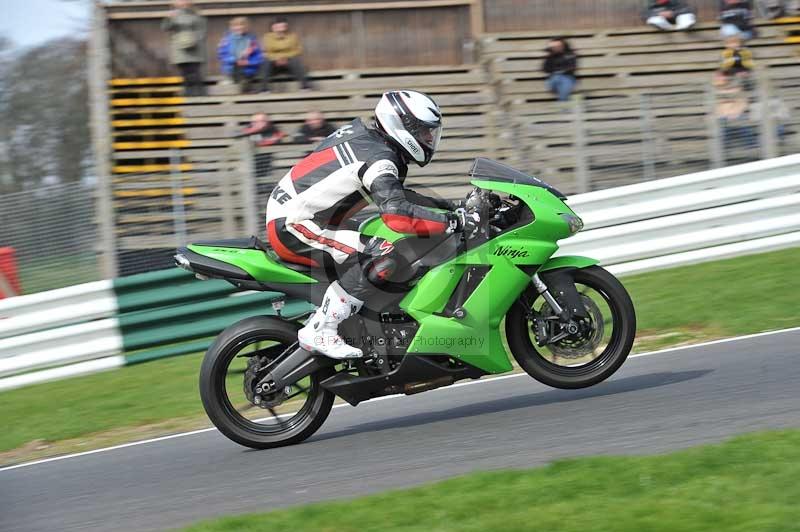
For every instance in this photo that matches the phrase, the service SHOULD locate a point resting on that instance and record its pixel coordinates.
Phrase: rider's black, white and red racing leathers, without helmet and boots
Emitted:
(352, 167)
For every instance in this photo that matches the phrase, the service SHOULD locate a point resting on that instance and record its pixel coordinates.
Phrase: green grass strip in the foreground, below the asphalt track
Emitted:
(744, 485)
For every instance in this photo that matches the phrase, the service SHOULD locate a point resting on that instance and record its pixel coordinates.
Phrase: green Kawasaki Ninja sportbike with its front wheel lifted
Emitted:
(465, 306)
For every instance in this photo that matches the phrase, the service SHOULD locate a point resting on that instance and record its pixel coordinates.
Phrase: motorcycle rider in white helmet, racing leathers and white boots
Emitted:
(354, 166)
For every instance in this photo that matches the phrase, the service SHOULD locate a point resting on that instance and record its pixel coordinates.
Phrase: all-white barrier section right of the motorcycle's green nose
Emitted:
(710, 215)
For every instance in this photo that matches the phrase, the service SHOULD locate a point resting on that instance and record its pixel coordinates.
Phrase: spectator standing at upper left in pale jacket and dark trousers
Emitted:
(187, 35)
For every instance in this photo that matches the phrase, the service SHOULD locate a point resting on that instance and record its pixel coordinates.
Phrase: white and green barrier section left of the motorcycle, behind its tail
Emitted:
(149, 316)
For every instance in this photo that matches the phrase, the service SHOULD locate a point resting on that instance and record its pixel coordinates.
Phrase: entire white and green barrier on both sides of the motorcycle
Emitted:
(659, 224)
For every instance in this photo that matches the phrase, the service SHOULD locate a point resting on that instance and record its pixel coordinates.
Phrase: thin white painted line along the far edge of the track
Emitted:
(457, 385)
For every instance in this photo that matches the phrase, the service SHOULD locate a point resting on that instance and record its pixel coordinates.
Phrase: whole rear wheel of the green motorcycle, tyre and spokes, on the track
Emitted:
(240, 419)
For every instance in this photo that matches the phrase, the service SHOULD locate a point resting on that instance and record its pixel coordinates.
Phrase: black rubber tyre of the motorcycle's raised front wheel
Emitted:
(609, 361)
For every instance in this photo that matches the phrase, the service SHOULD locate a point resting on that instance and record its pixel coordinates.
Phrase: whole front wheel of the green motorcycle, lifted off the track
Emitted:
(580, 360)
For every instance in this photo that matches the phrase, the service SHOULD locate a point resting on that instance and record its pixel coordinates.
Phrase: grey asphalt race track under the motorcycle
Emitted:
(654, 403)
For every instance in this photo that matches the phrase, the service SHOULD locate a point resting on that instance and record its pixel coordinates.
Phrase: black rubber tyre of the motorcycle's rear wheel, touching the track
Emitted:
(223, 414)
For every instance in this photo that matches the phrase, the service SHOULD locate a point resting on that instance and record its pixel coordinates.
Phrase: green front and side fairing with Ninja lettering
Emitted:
(476, 338)
